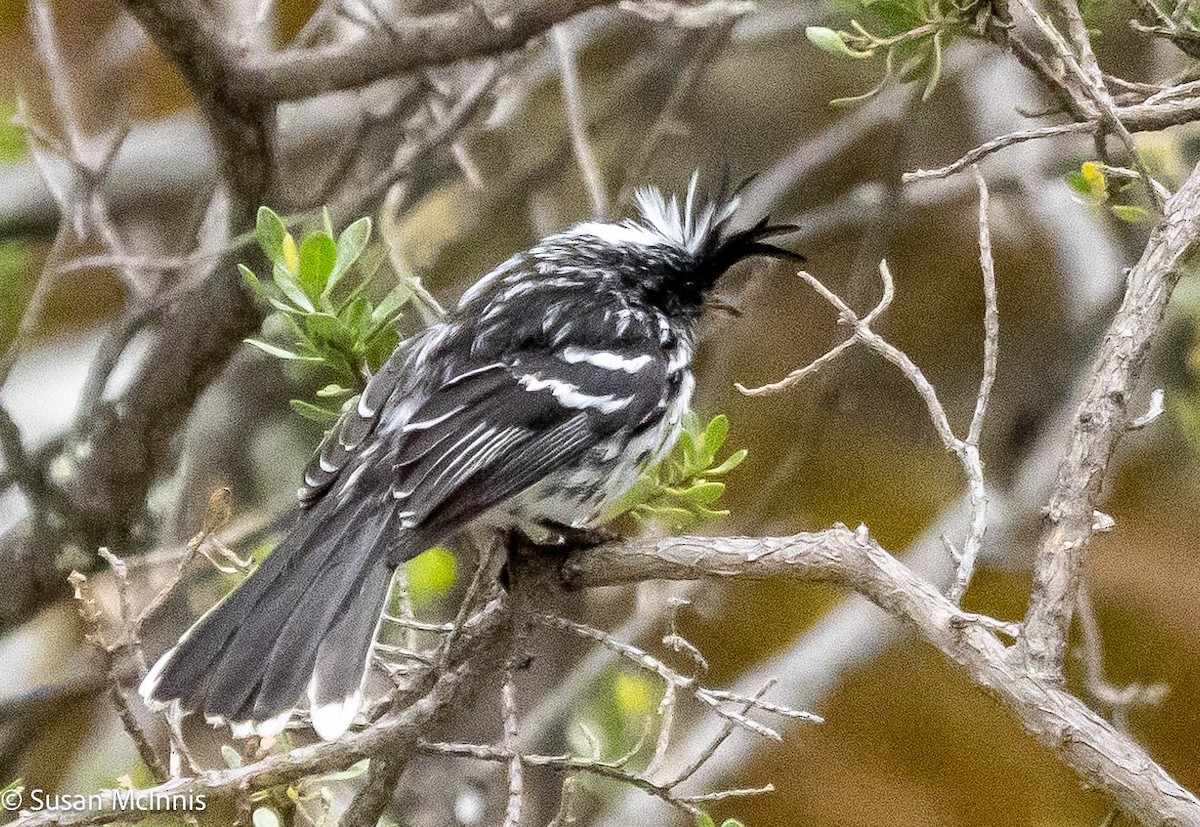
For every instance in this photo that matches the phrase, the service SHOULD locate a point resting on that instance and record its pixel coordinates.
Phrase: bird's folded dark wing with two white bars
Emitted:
(489, 433)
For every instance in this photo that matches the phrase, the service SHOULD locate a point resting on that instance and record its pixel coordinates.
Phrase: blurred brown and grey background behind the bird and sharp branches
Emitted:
(728, 88)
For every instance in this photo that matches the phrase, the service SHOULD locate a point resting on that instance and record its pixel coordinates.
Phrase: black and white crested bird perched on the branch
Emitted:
(536, 405)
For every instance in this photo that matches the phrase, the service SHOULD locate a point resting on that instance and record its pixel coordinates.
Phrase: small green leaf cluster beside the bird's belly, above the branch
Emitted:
(683, 489)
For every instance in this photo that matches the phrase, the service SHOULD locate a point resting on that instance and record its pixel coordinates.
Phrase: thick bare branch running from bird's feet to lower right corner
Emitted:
(1085, 742)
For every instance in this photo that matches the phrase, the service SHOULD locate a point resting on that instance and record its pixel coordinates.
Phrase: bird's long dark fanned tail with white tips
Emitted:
(307, 619)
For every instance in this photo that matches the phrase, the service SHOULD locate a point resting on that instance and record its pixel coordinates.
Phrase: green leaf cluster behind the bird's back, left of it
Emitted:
(323, 319)
